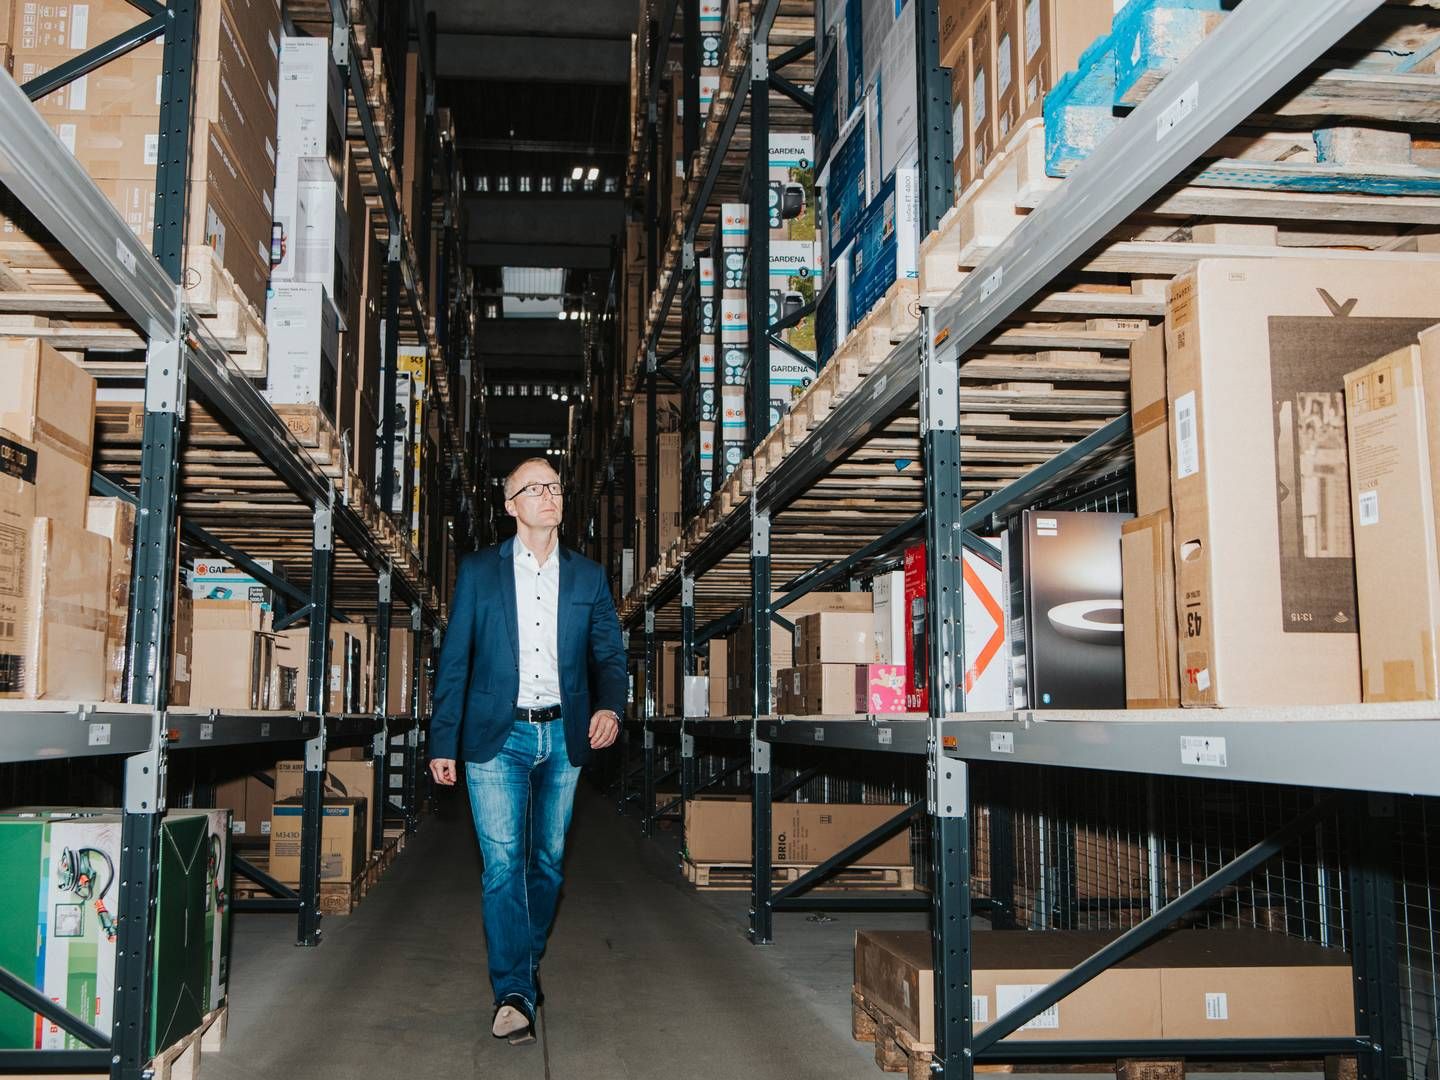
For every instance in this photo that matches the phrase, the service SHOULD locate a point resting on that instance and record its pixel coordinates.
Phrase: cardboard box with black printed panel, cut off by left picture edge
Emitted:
(18, 470)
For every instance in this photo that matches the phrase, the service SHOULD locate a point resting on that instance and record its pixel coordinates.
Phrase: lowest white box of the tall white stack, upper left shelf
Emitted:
(305, 342)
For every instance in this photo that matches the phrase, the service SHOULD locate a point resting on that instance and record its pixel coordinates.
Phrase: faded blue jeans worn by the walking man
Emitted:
(522, 803)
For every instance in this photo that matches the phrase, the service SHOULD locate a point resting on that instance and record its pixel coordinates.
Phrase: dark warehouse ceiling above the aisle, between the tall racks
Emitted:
(538, 89)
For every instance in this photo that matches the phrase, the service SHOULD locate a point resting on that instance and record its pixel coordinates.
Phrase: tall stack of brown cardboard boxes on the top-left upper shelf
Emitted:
(110, 122)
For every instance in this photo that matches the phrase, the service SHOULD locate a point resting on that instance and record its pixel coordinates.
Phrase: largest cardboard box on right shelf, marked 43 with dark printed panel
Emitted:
(1258, 365)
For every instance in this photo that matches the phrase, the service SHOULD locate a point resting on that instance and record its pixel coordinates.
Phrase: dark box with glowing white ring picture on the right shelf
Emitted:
(1066, 600)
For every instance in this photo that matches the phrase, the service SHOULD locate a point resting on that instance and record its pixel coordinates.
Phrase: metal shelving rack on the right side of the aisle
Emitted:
(909, 405)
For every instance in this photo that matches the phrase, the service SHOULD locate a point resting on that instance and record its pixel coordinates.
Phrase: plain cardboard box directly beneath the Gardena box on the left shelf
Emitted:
(233, 656)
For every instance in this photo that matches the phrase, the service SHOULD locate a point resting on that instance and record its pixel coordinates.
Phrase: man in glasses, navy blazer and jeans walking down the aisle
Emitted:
(532, 678)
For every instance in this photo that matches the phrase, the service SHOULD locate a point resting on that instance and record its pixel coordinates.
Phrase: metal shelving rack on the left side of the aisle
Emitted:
(351, 568)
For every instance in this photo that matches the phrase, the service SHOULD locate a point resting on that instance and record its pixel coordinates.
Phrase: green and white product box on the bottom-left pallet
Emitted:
(60, 902)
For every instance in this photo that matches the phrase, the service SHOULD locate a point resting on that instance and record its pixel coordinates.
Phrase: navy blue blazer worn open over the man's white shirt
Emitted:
(477, 683)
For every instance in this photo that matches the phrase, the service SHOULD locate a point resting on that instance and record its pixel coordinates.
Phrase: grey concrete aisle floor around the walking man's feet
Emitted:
(646, 980)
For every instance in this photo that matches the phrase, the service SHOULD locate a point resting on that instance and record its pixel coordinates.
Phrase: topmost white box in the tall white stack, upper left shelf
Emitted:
(312, 110)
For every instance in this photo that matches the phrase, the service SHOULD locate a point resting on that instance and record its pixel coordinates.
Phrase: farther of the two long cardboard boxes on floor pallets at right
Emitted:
(718, 830)
